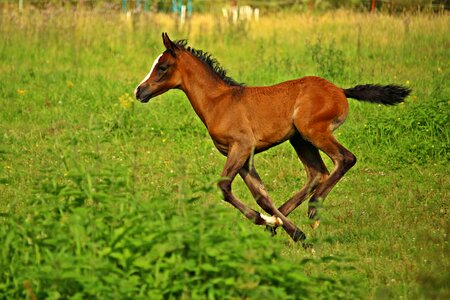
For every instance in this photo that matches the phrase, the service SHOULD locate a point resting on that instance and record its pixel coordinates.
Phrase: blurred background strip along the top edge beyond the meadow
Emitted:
(263, 5)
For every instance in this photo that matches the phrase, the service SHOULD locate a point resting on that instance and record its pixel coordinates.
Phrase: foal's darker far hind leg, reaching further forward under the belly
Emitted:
(315, 169)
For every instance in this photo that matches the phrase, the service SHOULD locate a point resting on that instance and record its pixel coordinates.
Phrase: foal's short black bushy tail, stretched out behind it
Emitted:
(382, 94)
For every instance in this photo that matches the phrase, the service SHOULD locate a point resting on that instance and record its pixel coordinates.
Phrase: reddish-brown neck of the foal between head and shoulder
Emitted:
(204, 90)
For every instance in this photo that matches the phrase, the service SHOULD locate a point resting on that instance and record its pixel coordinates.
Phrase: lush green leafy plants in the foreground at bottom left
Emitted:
(91, 236)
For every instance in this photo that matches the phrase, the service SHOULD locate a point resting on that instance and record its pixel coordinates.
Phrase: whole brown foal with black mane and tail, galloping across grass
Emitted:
(243, 121)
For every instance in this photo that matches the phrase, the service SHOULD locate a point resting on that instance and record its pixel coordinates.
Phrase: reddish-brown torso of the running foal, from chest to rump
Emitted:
(273, 114)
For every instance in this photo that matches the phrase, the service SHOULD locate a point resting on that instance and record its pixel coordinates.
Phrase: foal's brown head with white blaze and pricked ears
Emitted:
(163, 75)
